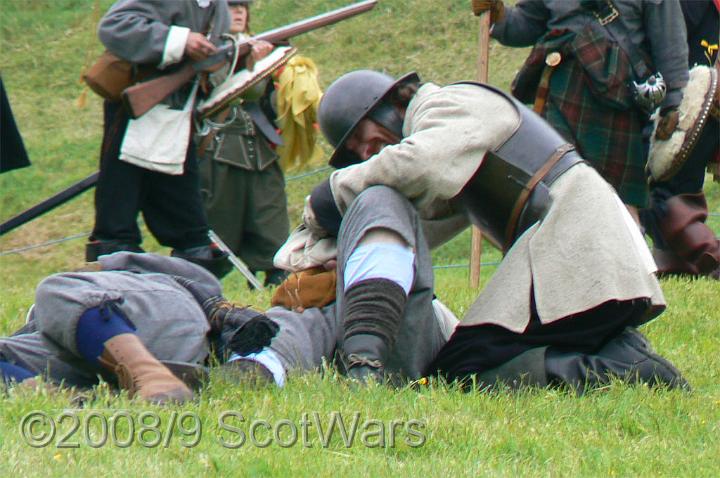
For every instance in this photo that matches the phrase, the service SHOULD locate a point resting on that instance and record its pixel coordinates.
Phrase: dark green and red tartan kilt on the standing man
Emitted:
(610, 139)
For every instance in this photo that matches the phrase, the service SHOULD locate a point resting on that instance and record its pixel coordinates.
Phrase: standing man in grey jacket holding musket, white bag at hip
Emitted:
(148, 165)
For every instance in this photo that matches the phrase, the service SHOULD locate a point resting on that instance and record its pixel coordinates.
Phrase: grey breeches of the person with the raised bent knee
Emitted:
(308, 339)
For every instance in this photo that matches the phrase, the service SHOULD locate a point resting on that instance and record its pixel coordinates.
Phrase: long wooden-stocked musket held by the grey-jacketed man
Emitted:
(140, 98)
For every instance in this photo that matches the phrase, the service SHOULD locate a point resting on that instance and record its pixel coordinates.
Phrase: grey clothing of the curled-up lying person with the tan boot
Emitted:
(167, 318)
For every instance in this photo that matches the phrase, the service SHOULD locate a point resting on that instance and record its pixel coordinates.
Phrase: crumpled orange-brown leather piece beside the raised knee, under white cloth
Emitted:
(309, 288)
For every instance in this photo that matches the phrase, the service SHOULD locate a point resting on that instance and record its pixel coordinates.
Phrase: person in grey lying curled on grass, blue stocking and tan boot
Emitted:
(131, 321)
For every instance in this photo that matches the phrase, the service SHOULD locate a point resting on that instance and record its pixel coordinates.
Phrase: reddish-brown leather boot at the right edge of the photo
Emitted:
(691, 241)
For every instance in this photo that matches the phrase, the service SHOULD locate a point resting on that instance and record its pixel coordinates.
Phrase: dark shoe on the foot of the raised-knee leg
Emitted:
(364, 356)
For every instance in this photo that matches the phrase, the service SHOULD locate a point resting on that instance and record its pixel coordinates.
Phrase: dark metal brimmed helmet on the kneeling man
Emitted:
(352, 97)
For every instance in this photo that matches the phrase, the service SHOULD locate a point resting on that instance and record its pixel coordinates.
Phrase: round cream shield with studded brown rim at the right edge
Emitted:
(666, 157)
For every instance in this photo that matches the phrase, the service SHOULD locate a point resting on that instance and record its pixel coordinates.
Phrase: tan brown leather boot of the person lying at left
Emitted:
(140, 373)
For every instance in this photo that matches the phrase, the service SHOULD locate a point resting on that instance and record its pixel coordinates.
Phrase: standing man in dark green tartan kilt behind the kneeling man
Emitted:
(599, 67)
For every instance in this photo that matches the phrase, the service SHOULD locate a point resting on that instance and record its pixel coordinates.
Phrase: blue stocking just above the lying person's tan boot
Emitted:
(98, 325)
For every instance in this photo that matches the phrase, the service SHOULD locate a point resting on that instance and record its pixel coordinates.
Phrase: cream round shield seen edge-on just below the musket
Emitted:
(241, 81)
